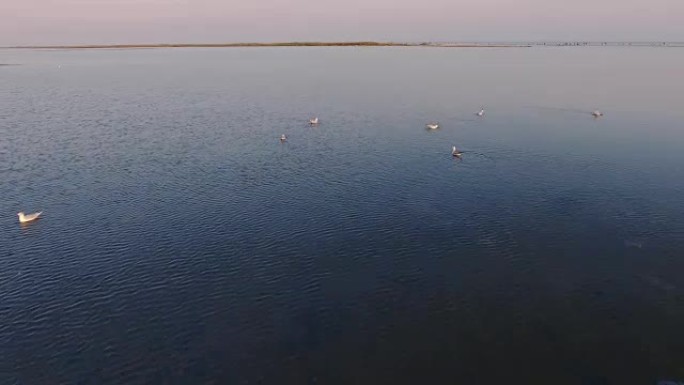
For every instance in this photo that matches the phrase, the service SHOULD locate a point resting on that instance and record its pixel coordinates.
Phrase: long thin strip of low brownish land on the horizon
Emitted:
(258, 45)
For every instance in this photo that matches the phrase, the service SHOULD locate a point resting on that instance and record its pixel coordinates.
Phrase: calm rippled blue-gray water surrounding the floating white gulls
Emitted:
(182, 243)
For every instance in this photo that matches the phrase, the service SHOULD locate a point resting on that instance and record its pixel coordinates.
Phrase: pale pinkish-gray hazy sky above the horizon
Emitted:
(36, 22)
